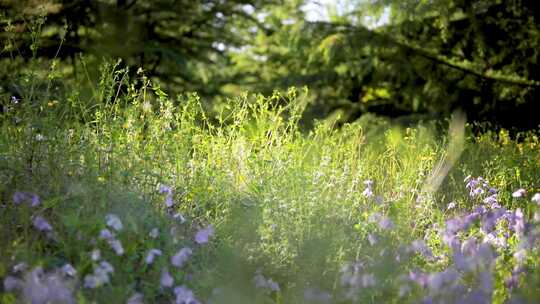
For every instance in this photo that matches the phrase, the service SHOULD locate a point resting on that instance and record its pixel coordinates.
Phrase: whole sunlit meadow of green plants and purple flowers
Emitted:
(140, 197)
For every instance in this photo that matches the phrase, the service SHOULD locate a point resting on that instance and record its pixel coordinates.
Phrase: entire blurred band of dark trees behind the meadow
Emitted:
(409, 60)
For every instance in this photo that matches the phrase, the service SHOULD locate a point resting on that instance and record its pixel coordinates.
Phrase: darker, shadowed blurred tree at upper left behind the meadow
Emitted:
(183, 44)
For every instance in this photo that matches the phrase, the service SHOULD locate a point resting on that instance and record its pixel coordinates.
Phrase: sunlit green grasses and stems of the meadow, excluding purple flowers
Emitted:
(285, 202)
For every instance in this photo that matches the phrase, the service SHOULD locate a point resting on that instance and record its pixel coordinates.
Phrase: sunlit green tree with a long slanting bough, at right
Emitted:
(431, 57)
